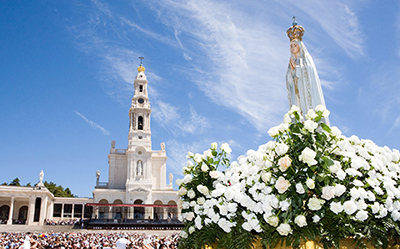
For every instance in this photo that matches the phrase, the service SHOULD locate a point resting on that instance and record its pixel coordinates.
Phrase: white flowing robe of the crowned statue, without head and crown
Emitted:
(303, 84)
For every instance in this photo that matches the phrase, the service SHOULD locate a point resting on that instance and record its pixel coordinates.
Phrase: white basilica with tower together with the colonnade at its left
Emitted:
(137, 187)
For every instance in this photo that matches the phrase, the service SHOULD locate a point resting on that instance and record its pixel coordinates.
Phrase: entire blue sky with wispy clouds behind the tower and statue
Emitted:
(216, 72)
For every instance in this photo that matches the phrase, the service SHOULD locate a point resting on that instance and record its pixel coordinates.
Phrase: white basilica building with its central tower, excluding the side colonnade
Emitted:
(137, 185)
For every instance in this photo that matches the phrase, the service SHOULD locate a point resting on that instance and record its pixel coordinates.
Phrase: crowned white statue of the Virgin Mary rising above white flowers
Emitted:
(302, 81)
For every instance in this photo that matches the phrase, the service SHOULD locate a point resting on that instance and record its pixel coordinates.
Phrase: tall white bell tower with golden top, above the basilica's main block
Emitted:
(139, 113)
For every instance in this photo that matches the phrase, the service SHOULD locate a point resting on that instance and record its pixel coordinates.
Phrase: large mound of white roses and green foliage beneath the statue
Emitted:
(309, 183)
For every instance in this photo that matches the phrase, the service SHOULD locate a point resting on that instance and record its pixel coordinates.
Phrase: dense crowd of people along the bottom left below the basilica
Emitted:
(87, 240)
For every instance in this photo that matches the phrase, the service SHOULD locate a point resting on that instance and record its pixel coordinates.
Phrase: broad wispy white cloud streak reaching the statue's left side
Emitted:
(237, 67)
